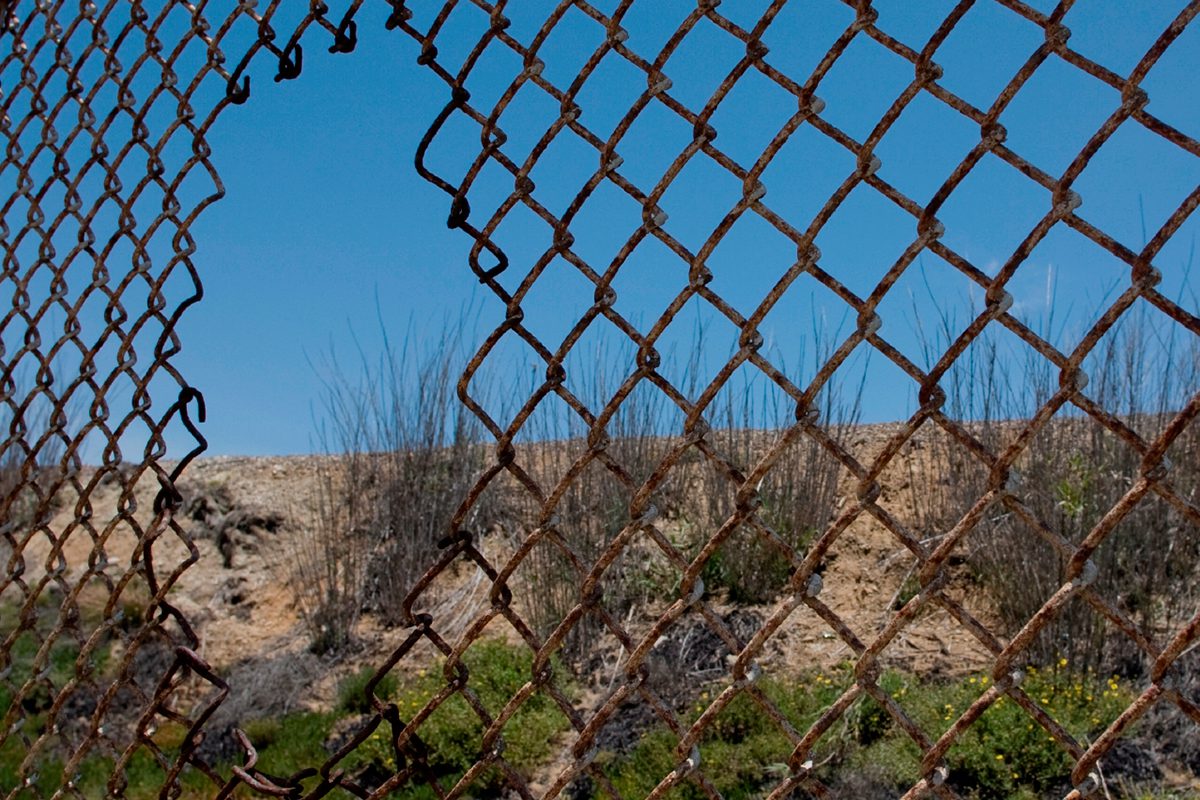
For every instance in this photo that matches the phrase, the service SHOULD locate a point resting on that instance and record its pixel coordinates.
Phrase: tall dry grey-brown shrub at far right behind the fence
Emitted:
(1071, 474)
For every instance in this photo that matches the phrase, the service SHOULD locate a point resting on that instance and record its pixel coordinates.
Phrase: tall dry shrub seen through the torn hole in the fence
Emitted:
(405, 454)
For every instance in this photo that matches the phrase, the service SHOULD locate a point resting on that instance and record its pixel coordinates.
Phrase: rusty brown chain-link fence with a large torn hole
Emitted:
(106, 110)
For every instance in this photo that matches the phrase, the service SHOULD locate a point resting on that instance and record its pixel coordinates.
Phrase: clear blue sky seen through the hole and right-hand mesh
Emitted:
(326, 220)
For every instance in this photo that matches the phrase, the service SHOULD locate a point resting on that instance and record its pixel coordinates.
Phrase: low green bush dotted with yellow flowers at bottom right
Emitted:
(1004, 755)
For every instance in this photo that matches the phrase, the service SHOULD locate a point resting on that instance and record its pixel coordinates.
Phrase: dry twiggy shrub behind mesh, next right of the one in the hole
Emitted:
(581, 518)
